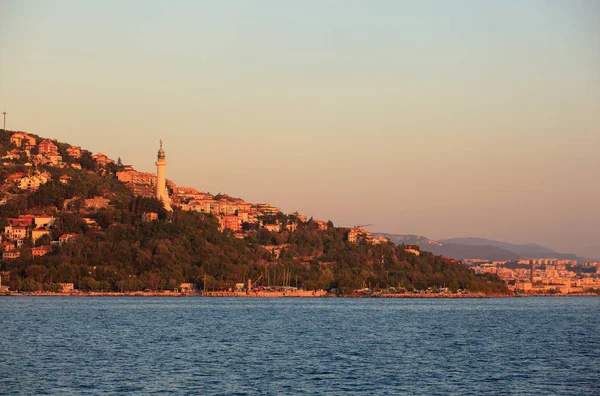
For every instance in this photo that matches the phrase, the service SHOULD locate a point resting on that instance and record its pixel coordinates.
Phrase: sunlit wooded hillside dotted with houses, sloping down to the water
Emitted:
(72, 217)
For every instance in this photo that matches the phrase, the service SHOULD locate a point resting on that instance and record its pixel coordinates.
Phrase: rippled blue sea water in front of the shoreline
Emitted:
(87, 345)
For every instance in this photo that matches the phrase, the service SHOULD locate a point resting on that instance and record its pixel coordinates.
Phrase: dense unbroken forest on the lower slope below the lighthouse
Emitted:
(126, 254)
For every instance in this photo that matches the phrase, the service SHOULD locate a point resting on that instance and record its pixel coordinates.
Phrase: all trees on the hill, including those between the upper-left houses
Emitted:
(114, 250)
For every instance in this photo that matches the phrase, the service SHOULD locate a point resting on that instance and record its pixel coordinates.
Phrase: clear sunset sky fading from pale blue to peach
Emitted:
(437, 118)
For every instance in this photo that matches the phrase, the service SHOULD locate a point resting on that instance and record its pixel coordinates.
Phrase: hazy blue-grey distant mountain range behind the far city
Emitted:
(478, 248)
